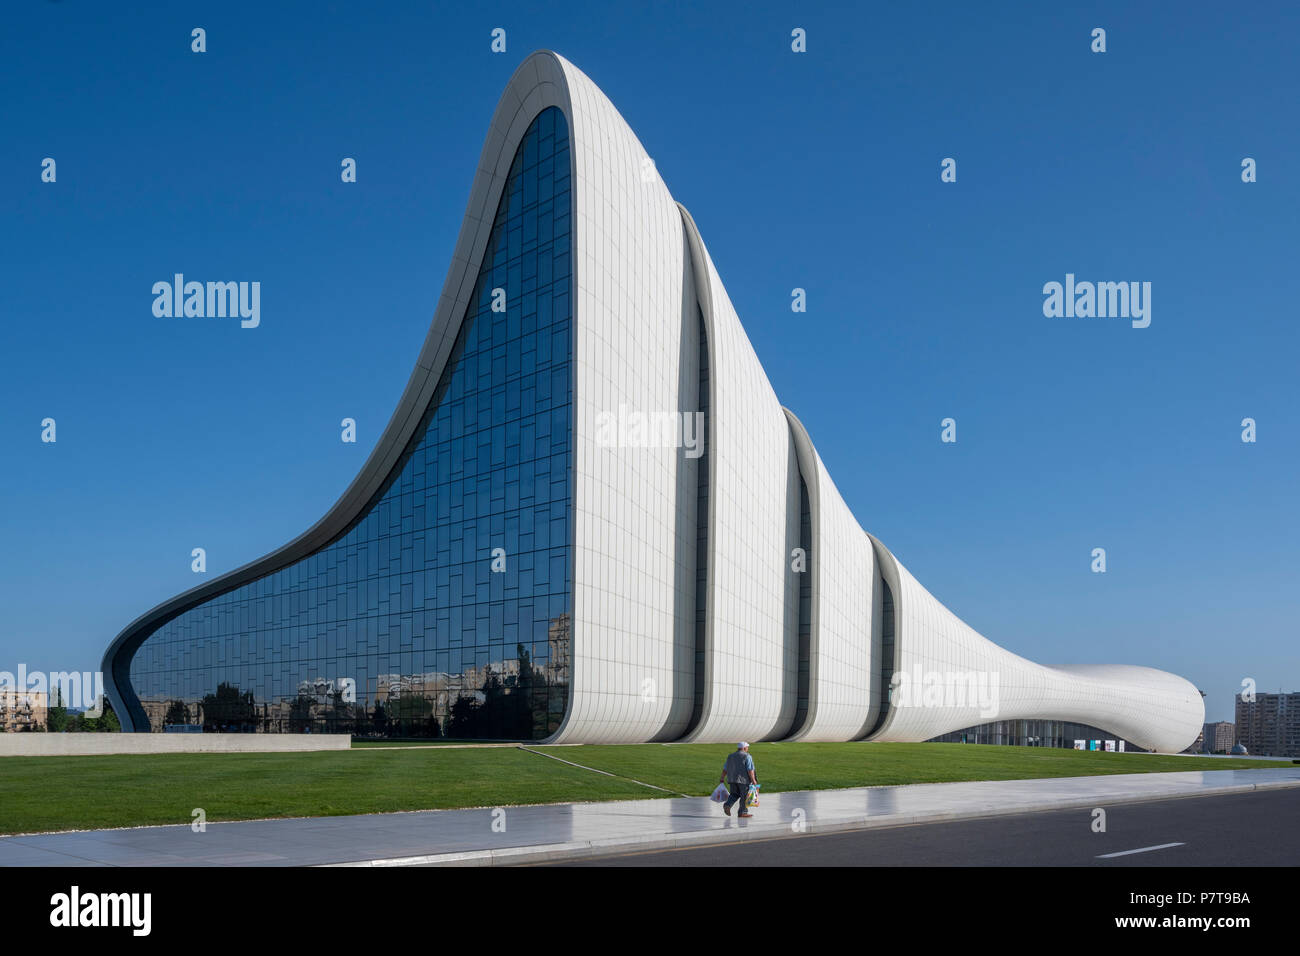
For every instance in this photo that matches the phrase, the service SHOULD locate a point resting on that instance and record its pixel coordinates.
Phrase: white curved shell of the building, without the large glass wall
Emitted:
(708, 605)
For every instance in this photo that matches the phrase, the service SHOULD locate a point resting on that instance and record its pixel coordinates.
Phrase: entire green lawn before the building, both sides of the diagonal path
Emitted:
(40, 794)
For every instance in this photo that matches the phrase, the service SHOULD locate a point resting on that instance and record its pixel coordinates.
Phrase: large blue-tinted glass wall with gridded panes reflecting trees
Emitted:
(447, 609)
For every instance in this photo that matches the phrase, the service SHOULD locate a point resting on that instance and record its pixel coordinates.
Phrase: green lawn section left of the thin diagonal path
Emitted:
(41, 794)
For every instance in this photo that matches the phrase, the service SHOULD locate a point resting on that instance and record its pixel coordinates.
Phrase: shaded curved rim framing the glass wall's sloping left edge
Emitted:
(538, 84)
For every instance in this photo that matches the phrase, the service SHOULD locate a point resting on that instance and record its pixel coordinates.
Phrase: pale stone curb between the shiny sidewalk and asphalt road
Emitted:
(583, 850)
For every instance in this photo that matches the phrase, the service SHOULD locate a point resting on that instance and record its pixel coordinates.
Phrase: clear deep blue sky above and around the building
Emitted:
(820, 171)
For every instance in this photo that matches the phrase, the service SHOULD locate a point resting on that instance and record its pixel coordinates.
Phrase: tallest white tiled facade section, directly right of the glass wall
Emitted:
(634, 583)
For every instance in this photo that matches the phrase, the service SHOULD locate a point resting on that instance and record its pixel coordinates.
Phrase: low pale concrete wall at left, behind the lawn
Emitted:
(85, 745)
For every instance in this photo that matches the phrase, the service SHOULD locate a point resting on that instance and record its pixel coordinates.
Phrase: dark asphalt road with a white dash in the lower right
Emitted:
(1234, 830)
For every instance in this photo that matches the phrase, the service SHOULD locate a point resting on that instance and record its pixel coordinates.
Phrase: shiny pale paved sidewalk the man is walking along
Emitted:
(560, 832)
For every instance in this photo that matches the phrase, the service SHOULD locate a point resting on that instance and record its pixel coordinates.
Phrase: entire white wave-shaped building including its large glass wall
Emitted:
(525, 556)
